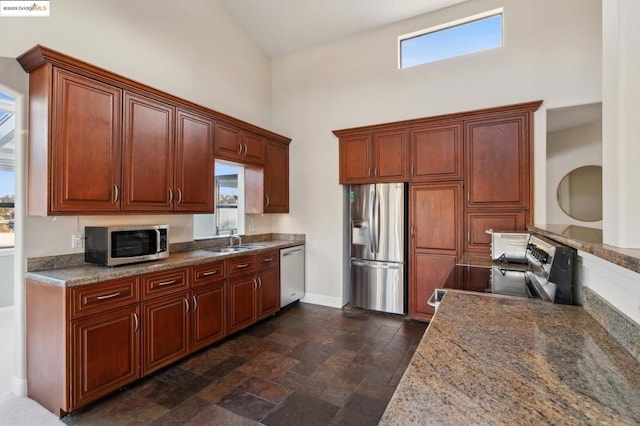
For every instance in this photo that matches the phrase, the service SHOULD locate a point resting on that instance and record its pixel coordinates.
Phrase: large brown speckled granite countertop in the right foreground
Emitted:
(491, 360)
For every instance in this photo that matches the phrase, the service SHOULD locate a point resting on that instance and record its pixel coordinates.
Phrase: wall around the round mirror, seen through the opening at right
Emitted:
(566, 150)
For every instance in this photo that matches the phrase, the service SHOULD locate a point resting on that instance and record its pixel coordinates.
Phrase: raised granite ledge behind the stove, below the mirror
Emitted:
(590, 240)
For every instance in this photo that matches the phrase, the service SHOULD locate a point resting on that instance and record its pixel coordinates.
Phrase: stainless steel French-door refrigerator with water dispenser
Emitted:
(378, 229)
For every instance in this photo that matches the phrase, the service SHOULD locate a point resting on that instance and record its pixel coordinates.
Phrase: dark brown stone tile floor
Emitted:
(309, 365)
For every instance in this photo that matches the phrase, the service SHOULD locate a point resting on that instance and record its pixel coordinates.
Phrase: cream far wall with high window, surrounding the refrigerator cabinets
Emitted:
(552, 52)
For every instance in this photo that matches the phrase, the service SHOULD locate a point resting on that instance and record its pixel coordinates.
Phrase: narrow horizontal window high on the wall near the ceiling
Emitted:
(461, 37)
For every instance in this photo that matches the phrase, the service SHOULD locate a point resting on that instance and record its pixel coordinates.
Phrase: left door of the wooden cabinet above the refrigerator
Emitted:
(356, 158)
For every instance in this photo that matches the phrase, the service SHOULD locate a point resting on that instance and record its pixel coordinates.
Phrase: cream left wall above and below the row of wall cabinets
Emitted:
(203, 57)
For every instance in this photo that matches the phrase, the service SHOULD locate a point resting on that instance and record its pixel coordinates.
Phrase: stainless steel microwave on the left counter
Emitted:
(119, 245)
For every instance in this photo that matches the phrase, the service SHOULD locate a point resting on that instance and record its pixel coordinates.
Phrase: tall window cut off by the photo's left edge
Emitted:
(7, 171)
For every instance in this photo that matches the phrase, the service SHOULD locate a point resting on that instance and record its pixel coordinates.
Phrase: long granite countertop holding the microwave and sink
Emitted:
(88, 274)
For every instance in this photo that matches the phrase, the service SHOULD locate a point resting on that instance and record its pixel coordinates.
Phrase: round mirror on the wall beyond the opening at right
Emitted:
(580, 193)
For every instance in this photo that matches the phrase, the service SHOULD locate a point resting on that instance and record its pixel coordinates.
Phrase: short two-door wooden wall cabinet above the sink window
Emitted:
(234, 144)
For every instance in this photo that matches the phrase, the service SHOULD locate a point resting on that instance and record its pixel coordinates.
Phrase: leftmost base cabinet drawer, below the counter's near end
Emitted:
(89, 299)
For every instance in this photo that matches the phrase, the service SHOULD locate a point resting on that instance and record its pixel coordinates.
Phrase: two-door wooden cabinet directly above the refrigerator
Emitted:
(379, 157)
